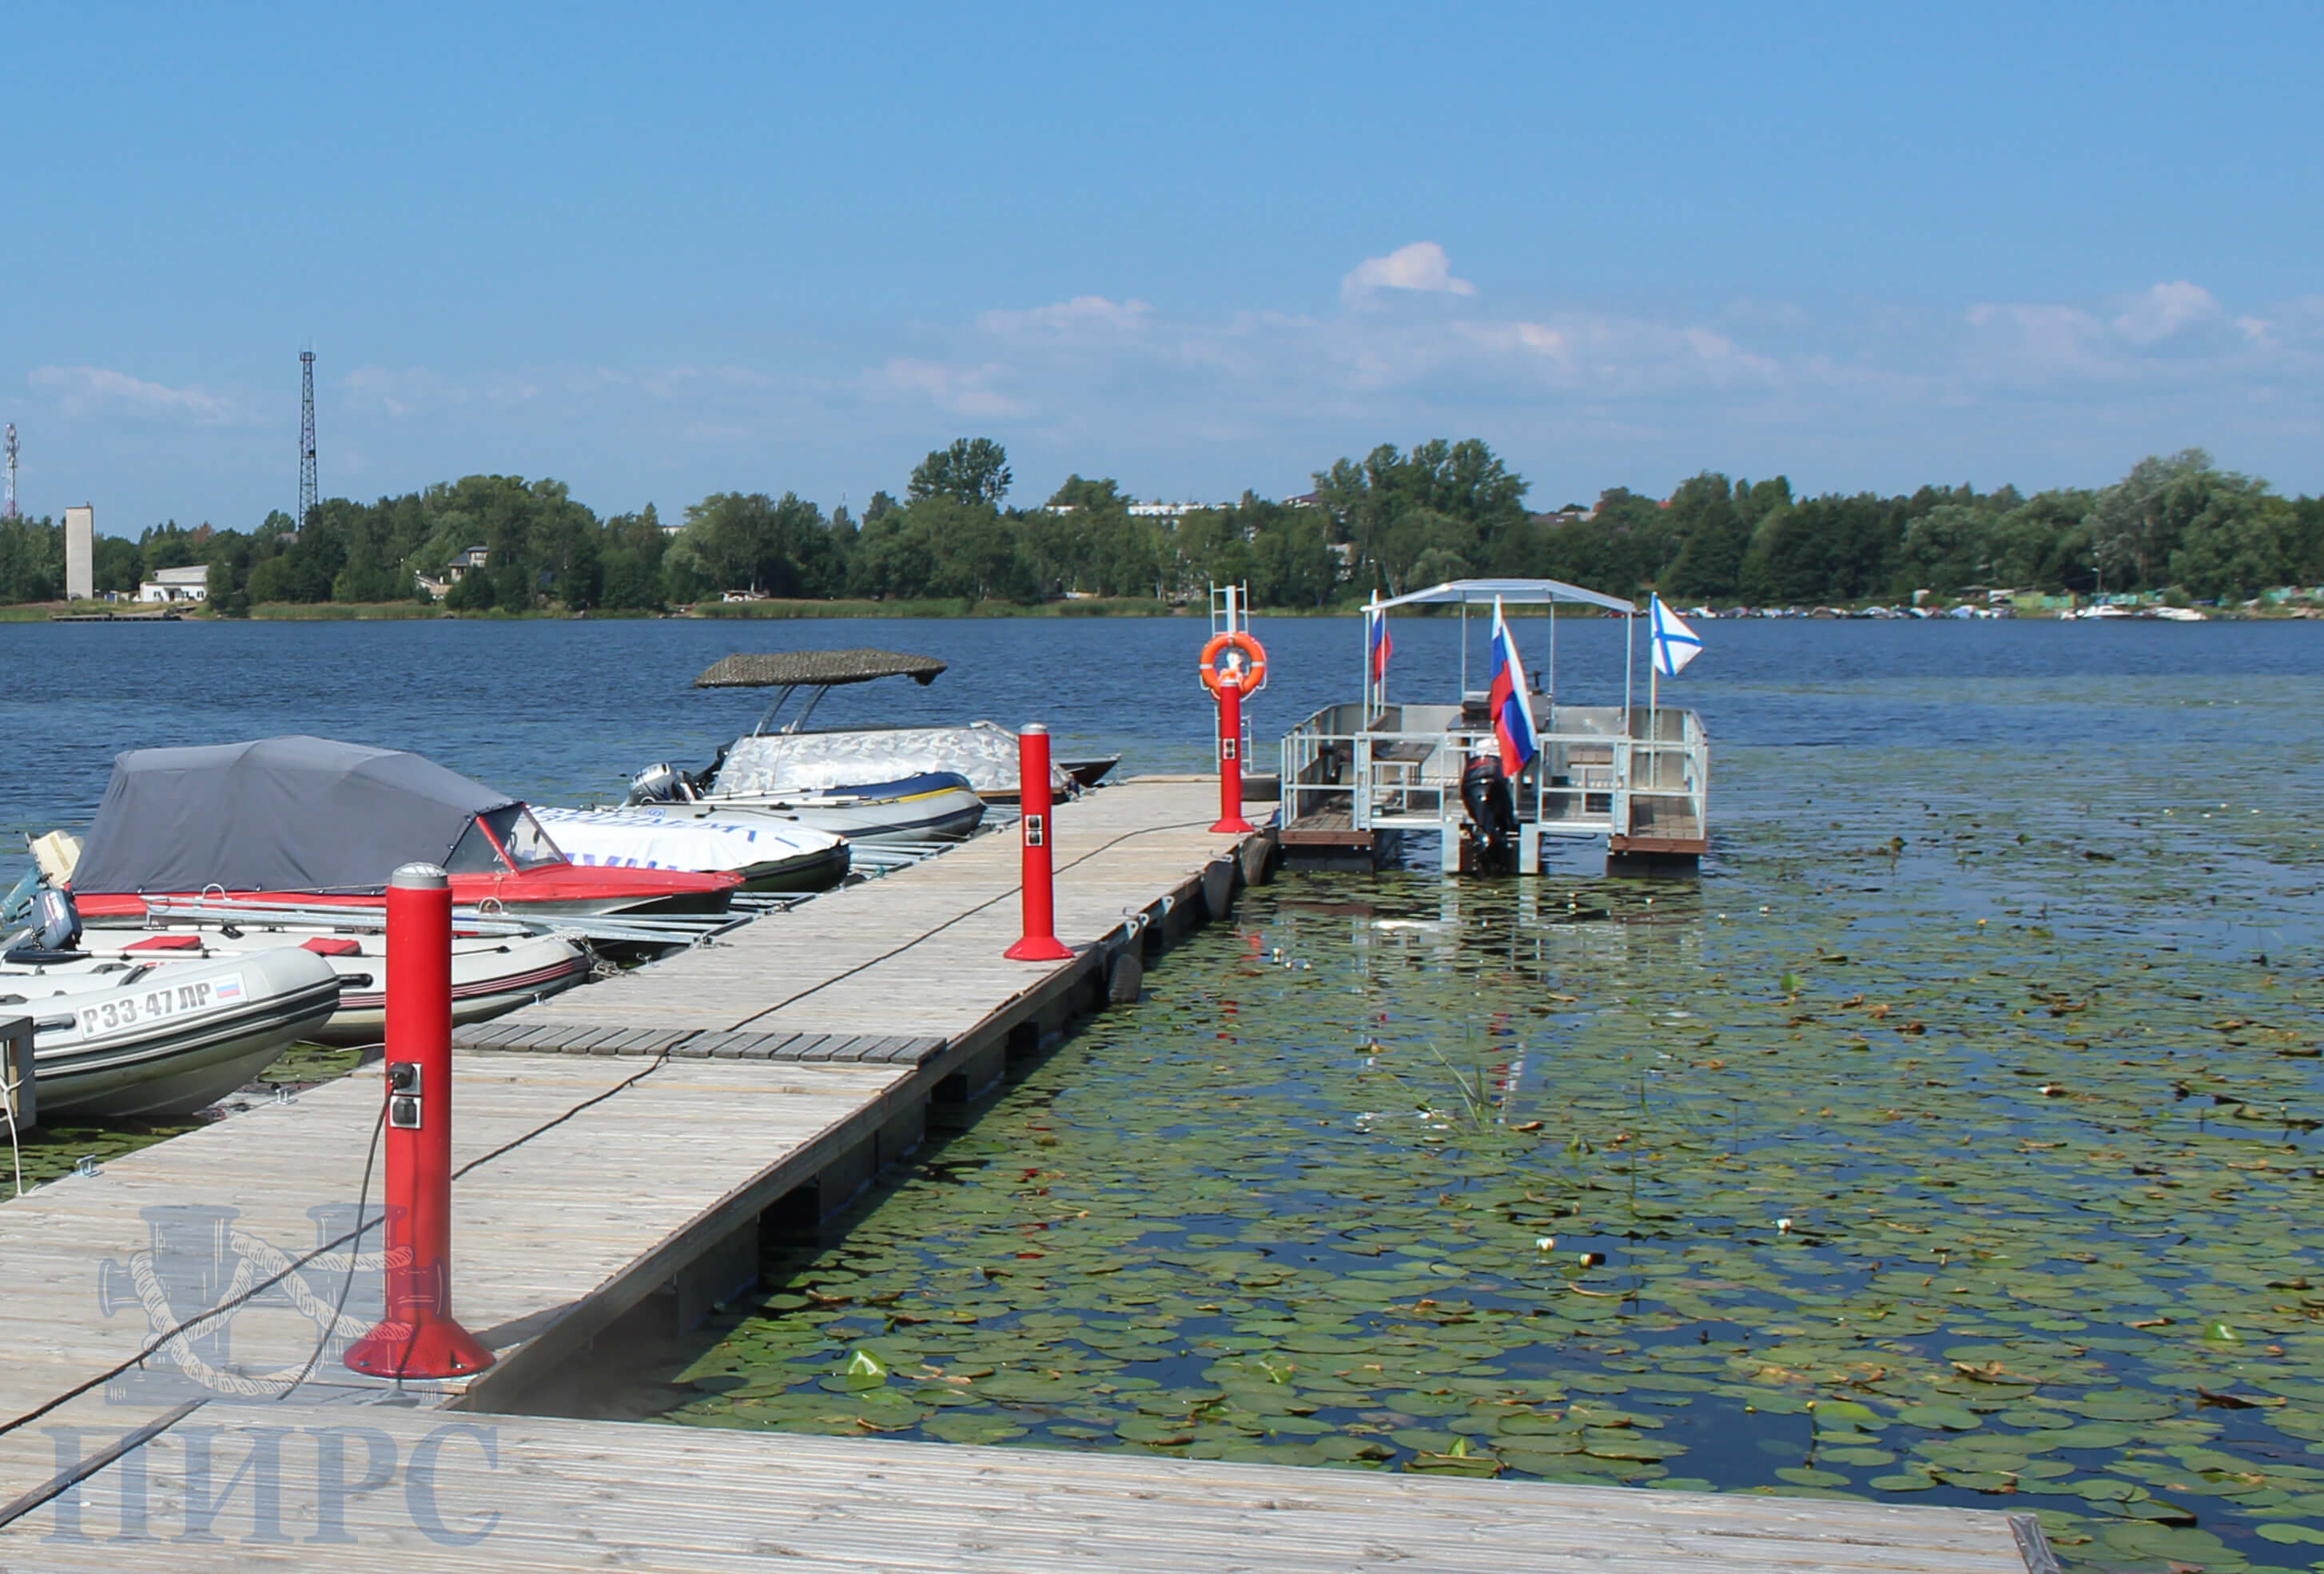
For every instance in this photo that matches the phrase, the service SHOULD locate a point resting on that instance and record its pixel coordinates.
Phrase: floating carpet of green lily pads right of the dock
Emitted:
(2023, 1312)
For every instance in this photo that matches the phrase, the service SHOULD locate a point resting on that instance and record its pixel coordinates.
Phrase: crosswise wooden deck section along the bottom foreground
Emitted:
(529, 1494)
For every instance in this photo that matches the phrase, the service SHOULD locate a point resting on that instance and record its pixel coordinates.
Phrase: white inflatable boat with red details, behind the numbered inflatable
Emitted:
(489, 975)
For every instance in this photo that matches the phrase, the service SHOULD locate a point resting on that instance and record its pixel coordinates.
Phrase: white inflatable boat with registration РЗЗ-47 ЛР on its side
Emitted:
(145, 1040)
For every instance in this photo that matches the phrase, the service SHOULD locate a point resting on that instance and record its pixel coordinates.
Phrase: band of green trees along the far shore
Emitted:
(1386, 524)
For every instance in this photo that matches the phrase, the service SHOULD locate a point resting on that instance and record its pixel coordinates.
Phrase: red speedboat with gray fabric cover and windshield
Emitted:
(324, 824)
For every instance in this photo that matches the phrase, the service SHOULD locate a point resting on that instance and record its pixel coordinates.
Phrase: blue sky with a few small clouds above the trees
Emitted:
(661, 252)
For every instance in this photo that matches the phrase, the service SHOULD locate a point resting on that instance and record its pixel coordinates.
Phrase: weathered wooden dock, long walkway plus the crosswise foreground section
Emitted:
(617, 1150)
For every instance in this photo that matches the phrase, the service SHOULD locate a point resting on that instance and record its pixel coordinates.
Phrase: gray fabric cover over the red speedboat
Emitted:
(273, 815)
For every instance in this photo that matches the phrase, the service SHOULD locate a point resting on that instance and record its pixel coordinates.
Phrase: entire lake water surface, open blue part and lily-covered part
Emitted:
(1951, 1140)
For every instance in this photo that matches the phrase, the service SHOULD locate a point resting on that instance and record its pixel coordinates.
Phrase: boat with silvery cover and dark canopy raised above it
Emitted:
(782, 761)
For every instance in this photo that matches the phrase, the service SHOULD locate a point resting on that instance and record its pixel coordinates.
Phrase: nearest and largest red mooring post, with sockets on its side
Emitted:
(419, 1333)
